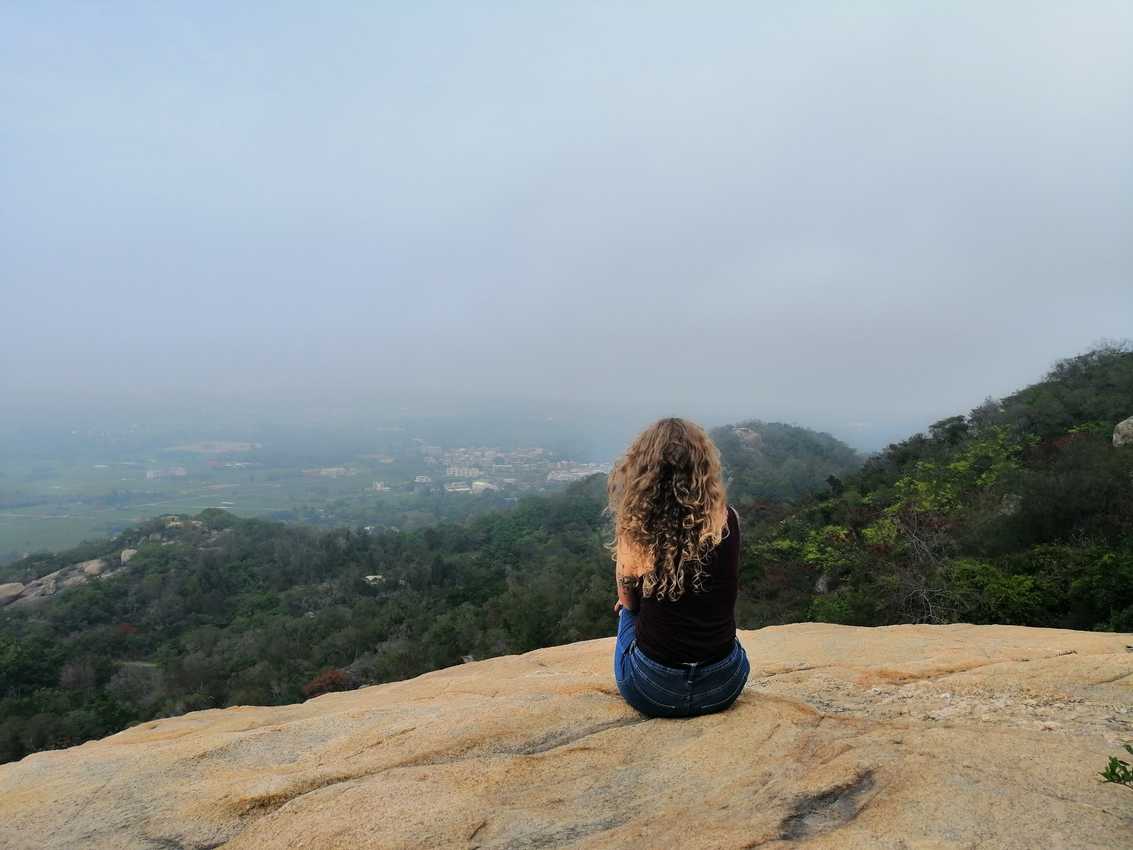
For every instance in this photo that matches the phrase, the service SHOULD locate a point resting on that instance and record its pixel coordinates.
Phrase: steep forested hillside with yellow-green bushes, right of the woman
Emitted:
(1020, 513)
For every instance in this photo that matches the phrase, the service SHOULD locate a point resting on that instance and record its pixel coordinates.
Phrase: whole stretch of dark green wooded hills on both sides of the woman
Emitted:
(1020, 513)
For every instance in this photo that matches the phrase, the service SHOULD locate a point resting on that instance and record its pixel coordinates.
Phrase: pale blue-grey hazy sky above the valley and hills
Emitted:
(858, 216)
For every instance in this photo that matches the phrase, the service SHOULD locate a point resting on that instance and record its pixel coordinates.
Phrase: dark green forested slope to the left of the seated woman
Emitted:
(226, 611)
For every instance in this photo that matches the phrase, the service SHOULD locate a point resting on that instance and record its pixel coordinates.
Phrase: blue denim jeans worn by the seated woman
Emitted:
(663, 692)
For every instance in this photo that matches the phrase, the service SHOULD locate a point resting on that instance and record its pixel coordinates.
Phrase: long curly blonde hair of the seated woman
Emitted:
(669, 505)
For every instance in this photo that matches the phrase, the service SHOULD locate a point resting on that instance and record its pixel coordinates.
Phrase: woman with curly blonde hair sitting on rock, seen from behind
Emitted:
(677, 547)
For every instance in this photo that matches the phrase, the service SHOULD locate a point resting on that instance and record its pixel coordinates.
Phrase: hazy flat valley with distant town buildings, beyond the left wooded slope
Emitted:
(404, 482)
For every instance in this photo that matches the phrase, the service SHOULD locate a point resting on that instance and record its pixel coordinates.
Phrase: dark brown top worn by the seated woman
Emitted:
(698, 626)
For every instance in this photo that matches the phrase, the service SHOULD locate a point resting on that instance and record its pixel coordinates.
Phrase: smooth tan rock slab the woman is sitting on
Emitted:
(899, 738)
